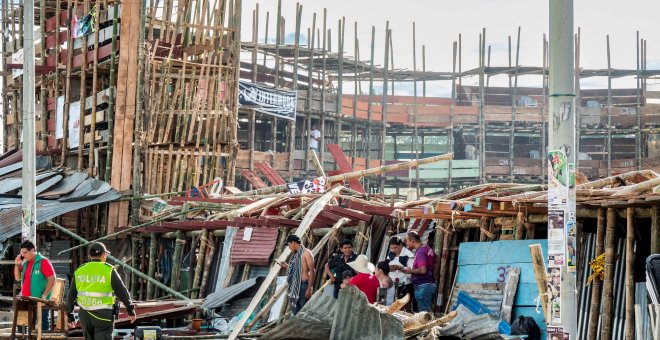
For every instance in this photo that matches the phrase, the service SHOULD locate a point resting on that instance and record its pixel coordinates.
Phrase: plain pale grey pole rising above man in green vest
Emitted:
(29, 231)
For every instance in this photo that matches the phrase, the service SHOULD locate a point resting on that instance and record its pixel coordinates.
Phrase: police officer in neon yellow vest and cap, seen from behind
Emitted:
(93, 288)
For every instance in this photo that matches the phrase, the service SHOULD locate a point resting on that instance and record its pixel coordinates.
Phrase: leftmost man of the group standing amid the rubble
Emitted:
(300, 273)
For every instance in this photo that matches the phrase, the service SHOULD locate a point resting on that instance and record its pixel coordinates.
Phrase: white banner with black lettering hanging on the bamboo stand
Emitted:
(268, 100)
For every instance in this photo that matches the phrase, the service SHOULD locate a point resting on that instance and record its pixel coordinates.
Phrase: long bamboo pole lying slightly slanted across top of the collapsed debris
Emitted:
(355, 174)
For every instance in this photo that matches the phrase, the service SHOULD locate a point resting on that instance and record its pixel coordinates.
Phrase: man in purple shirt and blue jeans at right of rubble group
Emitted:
(422, 272)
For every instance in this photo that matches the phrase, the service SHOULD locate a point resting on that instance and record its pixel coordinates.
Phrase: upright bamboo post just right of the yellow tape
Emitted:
(608, 284)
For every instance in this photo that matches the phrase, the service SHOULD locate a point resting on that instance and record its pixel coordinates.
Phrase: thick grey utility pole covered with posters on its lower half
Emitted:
(561, 165)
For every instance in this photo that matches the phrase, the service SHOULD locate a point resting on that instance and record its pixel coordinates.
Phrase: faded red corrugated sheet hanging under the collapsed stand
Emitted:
(257, 250)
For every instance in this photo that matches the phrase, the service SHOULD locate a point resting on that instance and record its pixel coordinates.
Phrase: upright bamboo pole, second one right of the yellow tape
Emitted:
(630, 280)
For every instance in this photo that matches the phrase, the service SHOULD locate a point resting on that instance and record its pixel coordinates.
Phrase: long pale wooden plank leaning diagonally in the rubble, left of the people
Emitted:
(315, 209)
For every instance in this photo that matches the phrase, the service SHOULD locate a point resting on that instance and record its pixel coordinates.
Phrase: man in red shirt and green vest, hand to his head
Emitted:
(36, 274)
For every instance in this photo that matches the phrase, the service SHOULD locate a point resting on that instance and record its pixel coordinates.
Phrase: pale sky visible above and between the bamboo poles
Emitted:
(439, 23)
